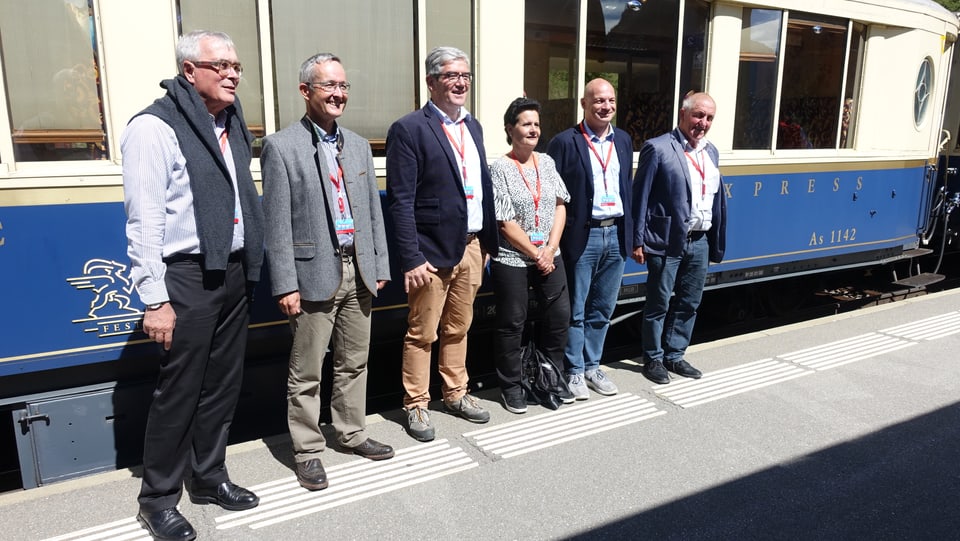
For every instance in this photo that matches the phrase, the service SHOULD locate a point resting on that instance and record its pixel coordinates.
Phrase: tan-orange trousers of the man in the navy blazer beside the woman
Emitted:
(442, 309)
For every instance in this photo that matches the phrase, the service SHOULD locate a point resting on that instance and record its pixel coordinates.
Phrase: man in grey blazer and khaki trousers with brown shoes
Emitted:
(327, 254)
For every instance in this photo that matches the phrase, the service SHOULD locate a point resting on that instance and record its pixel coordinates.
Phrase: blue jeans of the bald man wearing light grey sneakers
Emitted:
(594, 283)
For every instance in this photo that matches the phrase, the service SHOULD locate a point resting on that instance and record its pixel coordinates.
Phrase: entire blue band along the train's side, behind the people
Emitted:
(67, 298)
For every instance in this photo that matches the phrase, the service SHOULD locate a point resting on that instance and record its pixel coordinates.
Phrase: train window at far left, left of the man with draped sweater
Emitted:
(52, 72)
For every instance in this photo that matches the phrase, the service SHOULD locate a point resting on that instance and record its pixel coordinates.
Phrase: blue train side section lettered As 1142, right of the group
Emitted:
(783, 218)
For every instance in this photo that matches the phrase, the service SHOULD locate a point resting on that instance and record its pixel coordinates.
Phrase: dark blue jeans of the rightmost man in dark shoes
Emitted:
(667, 327)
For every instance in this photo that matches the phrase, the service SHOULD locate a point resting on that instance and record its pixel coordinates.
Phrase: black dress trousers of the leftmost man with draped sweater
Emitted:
(199, 382)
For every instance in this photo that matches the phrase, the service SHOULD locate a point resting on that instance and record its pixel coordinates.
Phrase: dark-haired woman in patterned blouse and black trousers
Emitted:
(529, 196)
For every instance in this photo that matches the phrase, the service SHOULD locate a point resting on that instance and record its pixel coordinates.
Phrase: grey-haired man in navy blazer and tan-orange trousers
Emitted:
(440, 197)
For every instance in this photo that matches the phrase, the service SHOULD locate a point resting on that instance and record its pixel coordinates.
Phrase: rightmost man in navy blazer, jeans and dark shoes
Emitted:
(680, 220)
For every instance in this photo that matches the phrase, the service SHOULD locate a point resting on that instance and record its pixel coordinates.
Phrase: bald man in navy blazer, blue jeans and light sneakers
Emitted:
(594, 158)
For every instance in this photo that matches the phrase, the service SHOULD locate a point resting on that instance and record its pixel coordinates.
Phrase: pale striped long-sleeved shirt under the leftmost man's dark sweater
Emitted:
(159, 202)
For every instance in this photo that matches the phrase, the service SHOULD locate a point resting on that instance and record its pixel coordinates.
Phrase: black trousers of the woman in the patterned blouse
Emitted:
(511, 285)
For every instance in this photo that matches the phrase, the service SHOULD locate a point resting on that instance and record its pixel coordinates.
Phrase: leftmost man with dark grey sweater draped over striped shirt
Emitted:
(195, 241)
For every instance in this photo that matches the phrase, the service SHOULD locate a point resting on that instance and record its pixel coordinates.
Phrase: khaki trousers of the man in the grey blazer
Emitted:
(345, 319)
